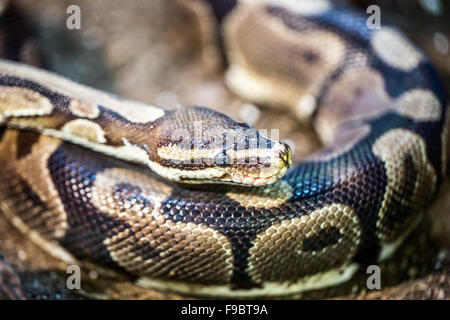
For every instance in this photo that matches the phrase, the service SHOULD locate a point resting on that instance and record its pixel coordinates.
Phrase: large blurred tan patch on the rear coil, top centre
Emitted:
(261, 49)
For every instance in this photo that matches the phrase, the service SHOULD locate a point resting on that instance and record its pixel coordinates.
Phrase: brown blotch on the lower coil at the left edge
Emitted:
(26, 186)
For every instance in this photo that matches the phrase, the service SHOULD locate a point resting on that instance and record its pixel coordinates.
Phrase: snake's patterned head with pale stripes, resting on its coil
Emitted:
(199, 145)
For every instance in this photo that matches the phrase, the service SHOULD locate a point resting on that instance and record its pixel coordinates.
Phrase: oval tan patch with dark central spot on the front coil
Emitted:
(278, 253)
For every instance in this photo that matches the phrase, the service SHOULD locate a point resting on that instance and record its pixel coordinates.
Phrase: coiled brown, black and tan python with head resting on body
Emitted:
(190, 201)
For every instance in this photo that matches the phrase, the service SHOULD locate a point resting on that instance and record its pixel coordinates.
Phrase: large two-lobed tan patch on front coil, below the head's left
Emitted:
(203, 254)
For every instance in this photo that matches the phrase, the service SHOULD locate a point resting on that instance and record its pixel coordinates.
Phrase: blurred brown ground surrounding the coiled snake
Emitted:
(151, 51)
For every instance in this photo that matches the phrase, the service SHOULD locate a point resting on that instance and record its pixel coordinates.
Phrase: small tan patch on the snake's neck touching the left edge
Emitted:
(17, 102)
